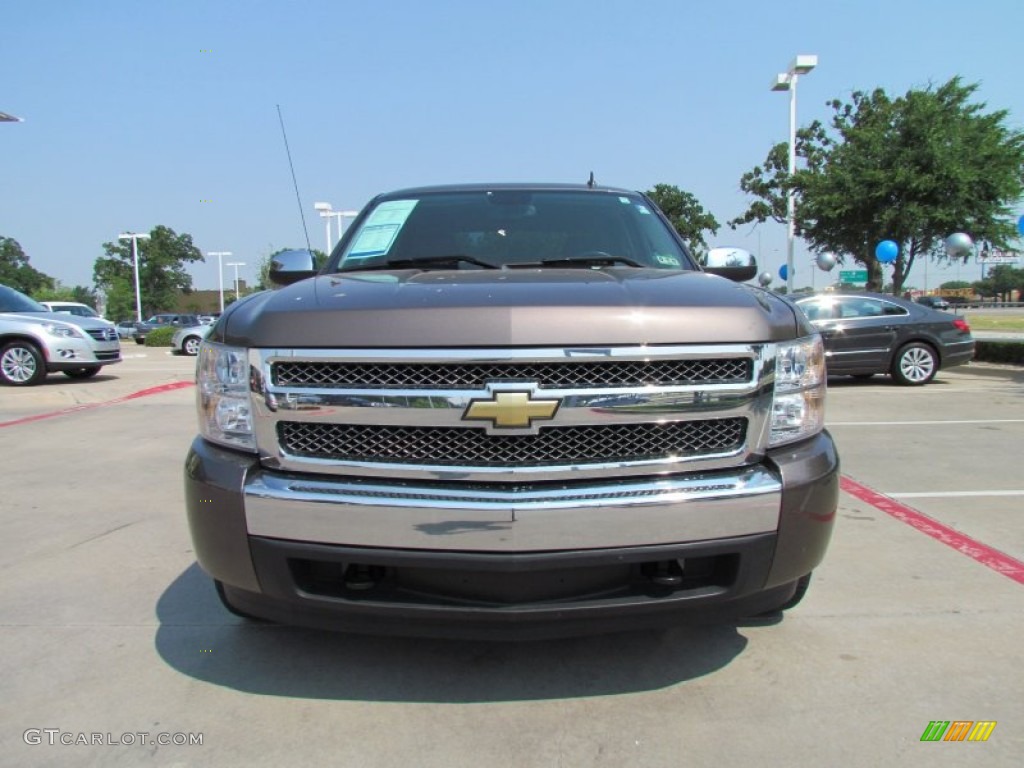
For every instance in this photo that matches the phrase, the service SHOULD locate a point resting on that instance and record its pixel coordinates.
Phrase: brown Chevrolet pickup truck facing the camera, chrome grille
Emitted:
(511, 412)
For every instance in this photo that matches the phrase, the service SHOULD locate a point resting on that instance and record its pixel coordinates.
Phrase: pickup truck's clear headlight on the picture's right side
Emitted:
(799, 406)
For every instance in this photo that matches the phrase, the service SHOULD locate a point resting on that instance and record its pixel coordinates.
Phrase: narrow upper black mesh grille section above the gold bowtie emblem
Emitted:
(478, 375)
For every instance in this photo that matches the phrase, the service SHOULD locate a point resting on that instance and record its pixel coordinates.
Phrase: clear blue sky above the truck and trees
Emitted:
(139, 114)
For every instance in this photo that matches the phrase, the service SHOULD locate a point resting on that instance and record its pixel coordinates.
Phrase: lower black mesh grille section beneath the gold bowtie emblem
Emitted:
(558, 446)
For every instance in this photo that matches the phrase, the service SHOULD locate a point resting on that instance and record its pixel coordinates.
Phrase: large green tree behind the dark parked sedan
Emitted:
(913, 169)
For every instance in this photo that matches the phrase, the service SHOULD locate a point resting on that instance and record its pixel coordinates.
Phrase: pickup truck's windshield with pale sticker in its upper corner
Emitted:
(508, 228)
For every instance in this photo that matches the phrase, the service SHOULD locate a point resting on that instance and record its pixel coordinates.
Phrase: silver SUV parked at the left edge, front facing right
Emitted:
(35, 343)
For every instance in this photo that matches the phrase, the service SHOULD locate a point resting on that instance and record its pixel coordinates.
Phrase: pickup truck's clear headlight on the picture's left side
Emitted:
(226, 414)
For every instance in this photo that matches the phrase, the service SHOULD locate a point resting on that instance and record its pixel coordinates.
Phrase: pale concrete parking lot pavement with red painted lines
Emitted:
(108, 627)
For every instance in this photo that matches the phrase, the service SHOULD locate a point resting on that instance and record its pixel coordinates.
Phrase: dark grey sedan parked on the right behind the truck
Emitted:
(867, 334)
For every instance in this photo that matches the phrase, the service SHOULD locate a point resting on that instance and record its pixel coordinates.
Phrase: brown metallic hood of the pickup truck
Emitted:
(511, 308)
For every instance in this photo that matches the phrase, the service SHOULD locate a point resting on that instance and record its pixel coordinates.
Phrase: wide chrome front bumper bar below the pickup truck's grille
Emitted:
(583, 517)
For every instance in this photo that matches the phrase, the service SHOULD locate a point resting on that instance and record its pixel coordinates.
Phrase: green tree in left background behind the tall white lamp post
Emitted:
(162, 271)
